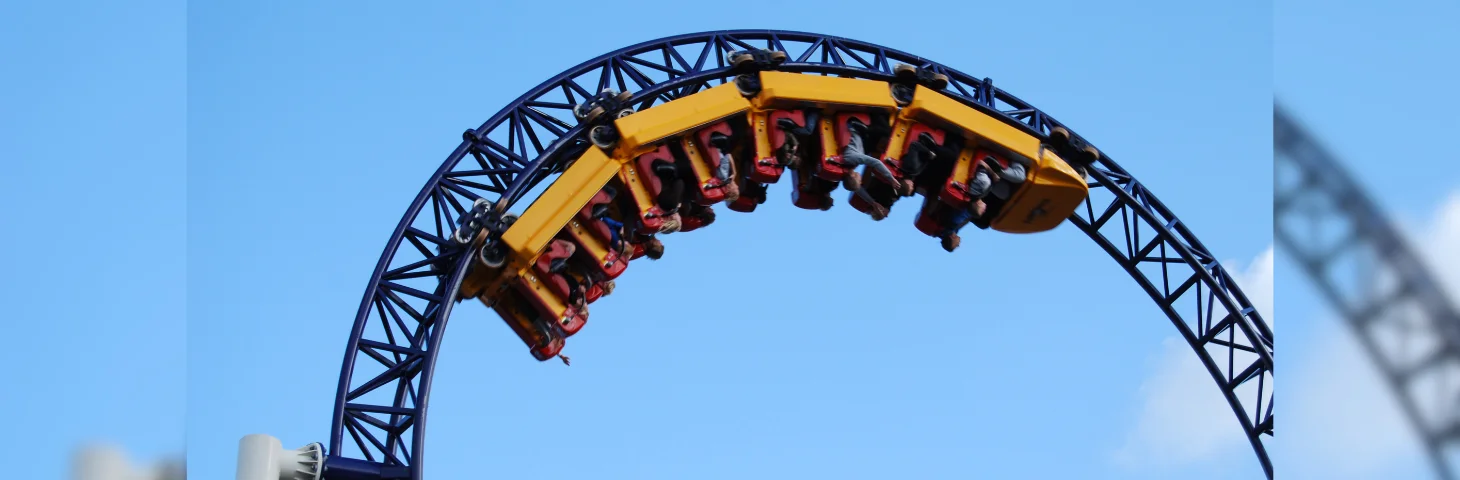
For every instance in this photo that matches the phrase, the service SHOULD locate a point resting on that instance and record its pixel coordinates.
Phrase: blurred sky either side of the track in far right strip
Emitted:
(1364, 78)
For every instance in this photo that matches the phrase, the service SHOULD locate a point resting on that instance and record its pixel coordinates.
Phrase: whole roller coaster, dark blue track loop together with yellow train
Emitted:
(643, 142)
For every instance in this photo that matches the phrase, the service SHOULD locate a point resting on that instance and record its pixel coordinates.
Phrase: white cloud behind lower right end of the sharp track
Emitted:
(1185, 419)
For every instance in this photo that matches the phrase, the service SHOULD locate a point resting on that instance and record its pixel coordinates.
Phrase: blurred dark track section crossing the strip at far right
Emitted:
(1382, 288)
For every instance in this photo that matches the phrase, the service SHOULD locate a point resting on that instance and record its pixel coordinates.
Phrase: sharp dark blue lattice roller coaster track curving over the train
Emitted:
(386, 379)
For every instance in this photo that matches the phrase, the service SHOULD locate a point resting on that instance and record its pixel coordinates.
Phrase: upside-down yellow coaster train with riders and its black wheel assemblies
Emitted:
(564, 253)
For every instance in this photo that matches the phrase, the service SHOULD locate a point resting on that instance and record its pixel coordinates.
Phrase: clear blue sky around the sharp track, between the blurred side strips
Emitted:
(313, 126)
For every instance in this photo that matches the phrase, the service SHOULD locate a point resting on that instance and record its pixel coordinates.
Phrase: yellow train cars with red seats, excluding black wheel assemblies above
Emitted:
(534, 300)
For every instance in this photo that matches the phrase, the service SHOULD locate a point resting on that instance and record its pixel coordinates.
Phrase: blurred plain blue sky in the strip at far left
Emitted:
(94, 186)
